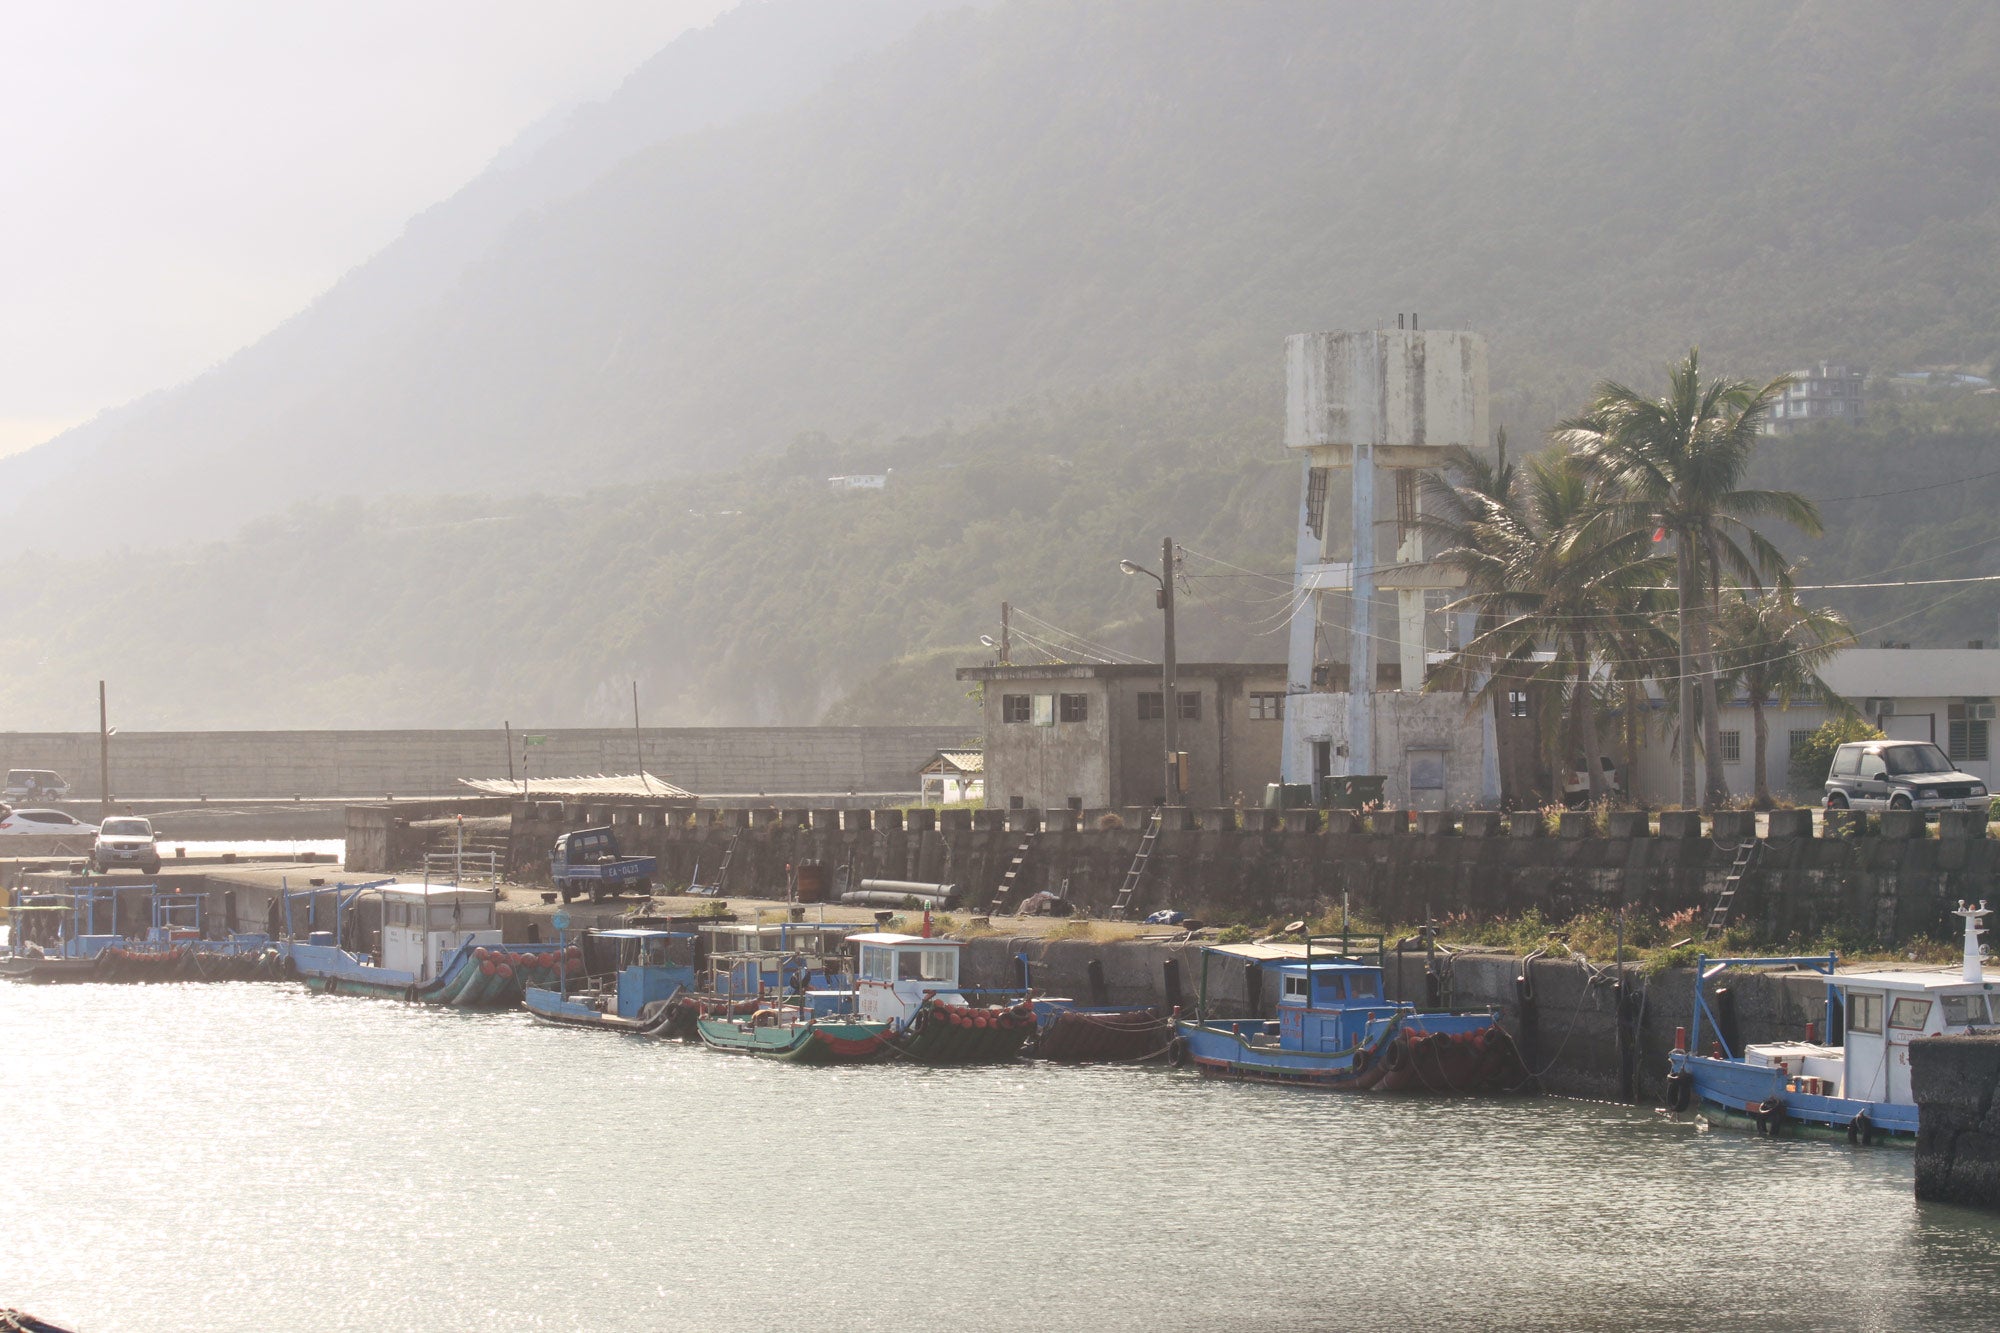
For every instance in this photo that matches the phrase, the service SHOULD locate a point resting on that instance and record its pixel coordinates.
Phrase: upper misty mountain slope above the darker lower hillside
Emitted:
(1047, 195)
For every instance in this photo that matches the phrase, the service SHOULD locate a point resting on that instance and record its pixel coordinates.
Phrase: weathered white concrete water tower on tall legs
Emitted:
(1369, 413)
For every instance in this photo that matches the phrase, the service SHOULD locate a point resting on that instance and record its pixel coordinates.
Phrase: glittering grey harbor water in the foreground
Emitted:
(255, 1158)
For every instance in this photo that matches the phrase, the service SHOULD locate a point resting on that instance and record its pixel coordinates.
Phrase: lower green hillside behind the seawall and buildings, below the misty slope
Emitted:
(765, 597)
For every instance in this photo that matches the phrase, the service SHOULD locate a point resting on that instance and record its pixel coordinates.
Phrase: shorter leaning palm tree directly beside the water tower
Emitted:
(1551, 569)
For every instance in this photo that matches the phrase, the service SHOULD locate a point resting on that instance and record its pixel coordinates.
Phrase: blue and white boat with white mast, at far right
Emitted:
(1855, 1086)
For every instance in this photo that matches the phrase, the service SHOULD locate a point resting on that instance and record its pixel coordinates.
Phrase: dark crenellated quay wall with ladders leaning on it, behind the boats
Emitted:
(1891, 886)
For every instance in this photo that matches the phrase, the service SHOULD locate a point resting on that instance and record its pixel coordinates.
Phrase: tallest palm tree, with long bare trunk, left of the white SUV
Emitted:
(1679, 465)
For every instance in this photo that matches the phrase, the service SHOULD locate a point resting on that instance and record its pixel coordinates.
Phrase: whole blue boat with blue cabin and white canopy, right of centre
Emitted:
(1337, 1030)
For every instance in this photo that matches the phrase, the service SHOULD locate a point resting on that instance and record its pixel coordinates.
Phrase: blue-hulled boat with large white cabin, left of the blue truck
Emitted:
(439, 946)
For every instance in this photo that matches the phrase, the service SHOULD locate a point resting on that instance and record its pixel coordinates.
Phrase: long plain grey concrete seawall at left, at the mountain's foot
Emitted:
(429, 764)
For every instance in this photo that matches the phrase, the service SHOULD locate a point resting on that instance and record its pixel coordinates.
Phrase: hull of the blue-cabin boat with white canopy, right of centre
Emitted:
(1443, 1064)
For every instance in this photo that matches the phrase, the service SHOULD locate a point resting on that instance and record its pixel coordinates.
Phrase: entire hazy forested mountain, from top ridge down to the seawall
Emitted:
(1037, 257)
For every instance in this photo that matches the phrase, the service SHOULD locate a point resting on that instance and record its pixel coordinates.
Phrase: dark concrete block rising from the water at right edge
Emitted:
(1957, 1120)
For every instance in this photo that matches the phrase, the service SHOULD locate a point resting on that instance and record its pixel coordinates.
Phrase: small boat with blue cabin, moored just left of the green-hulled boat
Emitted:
(633, 984)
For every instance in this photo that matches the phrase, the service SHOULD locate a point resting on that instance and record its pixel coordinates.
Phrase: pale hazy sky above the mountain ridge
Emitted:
(179, 177)
